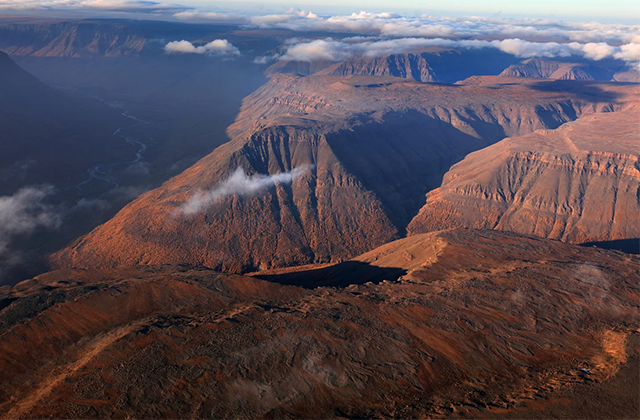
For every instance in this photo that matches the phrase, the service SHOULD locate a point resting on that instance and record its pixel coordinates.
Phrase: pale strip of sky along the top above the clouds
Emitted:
(606, 11)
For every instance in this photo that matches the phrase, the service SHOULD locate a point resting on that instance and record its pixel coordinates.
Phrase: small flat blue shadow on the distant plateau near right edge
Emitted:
(591, 91)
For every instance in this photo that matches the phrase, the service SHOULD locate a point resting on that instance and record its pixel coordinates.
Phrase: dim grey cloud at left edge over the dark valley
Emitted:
(24, 212)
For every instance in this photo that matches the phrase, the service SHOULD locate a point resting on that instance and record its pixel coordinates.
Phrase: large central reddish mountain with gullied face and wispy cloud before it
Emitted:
(377, 145)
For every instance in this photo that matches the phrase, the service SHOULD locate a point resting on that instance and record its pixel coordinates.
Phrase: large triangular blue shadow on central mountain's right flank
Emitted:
(406, 155)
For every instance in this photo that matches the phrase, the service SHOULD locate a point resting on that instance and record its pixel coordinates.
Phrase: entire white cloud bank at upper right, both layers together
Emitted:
(386, 33)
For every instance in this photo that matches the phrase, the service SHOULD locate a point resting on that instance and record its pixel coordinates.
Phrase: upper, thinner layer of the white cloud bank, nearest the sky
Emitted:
(391, 25)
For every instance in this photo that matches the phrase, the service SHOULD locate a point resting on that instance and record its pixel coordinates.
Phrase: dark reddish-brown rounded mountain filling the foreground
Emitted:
(467, 324)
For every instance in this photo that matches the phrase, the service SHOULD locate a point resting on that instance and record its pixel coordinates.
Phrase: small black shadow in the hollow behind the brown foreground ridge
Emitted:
(339, 275)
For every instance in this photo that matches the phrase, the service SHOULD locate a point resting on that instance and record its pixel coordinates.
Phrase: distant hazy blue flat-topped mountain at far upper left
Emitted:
(115, 38)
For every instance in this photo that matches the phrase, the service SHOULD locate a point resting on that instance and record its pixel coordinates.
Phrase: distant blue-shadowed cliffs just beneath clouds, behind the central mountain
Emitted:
(431, 65)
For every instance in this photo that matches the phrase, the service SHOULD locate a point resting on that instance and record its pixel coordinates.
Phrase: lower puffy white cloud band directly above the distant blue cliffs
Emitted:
(334, 50)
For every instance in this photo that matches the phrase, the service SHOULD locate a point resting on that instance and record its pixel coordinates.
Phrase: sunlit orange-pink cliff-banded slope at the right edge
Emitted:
(579, 183)
